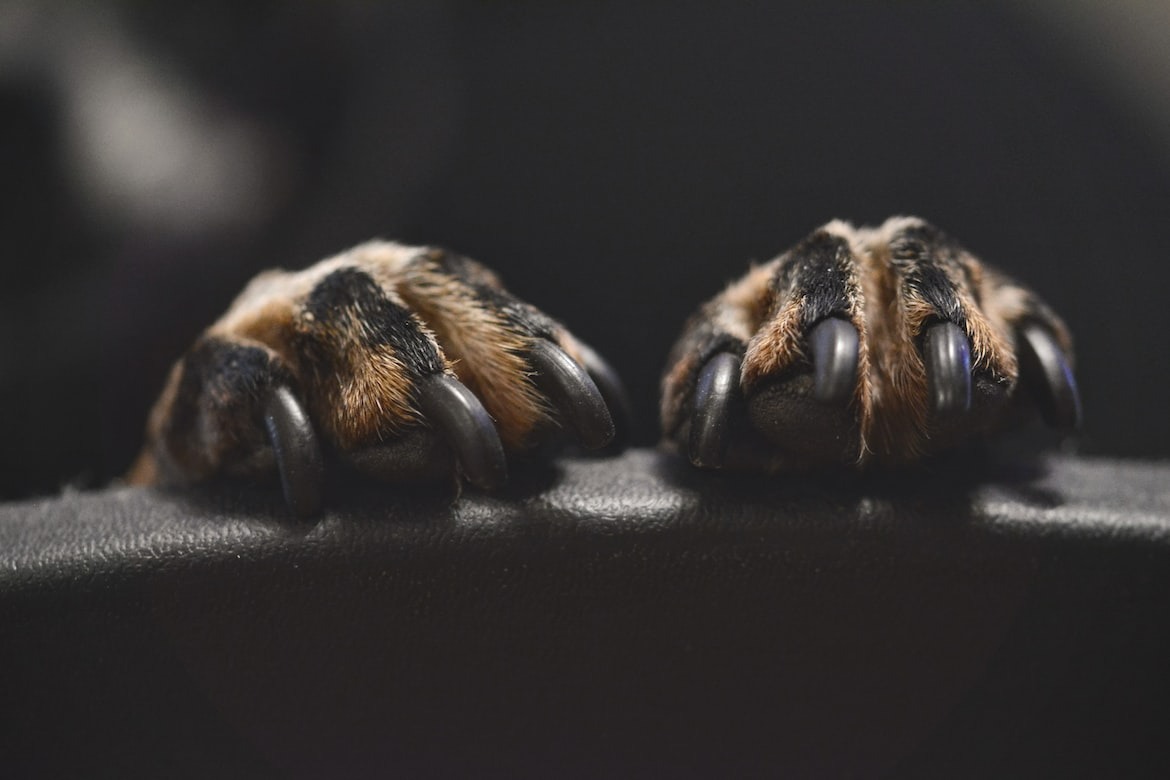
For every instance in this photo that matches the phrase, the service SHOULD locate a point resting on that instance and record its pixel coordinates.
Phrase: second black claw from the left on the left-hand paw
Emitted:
(466, 426)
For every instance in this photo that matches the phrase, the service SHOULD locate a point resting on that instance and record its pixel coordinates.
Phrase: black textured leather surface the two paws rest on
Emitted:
(625, 617)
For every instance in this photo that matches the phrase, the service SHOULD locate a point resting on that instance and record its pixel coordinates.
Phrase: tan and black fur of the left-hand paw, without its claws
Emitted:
(352, 337)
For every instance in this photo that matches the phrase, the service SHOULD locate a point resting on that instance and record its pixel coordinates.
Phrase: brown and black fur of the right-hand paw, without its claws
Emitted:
(889, 282)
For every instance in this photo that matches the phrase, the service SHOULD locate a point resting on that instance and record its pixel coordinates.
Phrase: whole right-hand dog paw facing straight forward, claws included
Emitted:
(864, 346)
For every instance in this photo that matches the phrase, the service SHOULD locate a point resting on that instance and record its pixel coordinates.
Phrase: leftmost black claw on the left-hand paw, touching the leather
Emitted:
(298, 453)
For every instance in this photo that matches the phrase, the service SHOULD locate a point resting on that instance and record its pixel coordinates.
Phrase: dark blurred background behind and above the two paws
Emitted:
(616, 162)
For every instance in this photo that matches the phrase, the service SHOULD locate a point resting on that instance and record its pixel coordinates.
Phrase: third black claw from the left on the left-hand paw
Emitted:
(574, 394)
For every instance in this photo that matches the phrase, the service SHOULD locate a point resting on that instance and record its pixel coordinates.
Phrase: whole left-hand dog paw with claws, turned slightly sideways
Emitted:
(405, 363)
